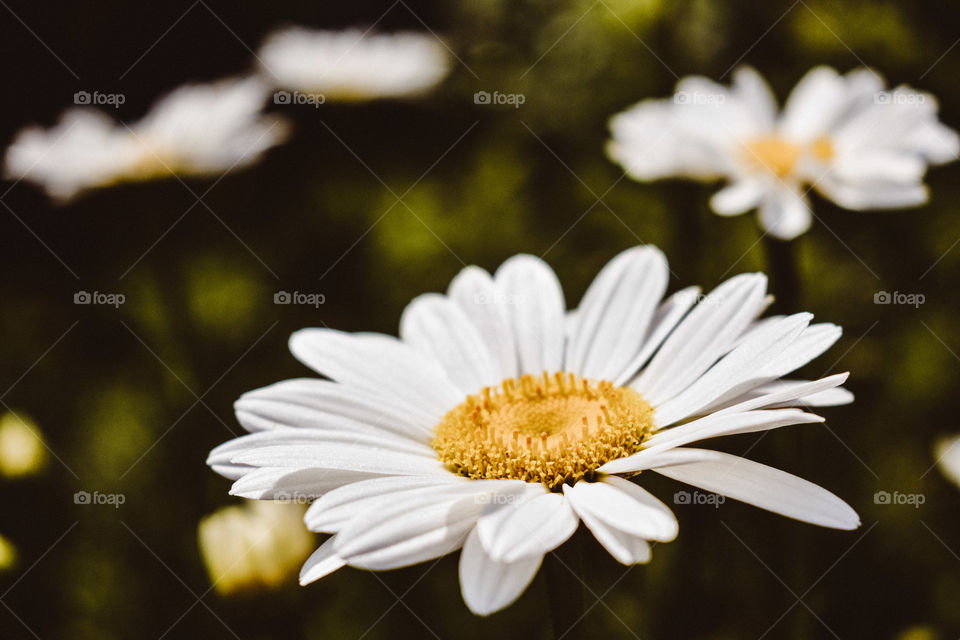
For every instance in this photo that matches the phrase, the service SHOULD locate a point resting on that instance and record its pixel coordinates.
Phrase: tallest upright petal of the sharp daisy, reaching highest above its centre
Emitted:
(615, 314)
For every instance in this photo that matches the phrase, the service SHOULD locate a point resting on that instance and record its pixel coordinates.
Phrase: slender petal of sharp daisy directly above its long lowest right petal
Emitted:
(712, 426)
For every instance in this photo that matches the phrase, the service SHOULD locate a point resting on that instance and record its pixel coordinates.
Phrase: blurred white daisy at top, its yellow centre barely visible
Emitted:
(353, 64)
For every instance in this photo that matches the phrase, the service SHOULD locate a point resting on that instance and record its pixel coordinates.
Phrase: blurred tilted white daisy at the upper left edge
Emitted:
(197, 129)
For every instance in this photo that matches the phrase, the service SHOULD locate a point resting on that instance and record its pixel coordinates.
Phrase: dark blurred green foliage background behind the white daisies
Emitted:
(116, 394)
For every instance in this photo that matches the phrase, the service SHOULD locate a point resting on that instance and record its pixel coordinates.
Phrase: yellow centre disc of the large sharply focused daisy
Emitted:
(549, 429)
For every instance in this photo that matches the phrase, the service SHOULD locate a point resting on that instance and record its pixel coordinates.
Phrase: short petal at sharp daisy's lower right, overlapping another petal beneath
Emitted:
(625, 506)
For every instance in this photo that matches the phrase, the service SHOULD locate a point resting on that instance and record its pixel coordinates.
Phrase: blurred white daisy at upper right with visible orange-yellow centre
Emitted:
(845, 136)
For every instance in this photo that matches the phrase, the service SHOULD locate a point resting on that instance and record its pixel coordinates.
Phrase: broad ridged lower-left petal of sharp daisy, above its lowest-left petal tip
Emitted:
(418, 528)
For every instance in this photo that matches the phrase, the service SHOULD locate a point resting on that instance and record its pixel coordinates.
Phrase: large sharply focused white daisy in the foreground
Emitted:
(498, 421)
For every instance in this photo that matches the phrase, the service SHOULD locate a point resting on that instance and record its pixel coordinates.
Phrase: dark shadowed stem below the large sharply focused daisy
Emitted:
(562, 570)
